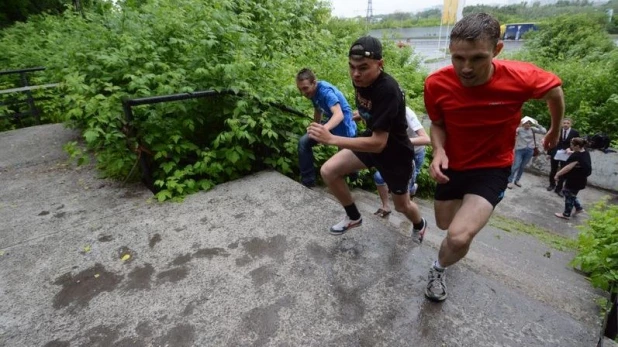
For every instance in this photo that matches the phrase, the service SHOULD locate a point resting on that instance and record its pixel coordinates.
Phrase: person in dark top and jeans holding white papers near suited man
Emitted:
(575, 174)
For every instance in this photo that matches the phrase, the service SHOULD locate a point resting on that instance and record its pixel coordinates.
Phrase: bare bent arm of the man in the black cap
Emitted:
(373, 144)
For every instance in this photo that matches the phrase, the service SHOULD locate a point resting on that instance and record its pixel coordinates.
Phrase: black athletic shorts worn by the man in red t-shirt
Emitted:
(488, 183)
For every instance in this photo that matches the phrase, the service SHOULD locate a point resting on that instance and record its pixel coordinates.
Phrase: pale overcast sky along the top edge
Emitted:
(353, 8)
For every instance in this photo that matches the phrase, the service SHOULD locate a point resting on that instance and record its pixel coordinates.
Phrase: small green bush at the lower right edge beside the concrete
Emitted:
(597, 253)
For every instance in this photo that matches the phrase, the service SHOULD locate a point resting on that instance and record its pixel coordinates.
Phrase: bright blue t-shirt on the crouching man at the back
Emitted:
(327, 96)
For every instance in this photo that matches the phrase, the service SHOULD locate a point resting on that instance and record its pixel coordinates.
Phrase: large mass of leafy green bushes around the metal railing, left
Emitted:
(162, 47)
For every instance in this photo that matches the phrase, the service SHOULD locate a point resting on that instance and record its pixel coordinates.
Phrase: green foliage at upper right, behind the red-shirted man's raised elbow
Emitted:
(586, 59)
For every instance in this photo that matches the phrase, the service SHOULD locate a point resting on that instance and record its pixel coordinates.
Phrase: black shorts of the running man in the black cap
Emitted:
(397, 174)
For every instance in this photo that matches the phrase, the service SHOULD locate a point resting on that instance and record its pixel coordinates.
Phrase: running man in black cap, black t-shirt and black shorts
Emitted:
(386, 146)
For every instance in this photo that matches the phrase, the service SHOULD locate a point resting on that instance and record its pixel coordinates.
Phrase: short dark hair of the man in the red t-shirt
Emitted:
(476, 27)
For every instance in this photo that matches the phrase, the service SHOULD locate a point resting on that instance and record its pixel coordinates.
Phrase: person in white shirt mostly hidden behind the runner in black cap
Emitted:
(419, 139)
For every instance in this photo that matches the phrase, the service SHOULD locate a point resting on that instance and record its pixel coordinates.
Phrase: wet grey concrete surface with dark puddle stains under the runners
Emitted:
(251, 263)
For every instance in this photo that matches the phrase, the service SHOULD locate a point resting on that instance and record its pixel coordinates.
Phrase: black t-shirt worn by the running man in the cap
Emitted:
(382, 106)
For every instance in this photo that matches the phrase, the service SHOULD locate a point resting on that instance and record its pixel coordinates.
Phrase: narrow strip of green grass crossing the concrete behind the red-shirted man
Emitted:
(546, 236)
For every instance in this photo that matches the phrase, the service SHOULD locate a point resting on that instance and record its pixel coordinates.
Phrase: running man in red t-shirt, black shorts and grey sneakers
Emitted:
(472, 170)
